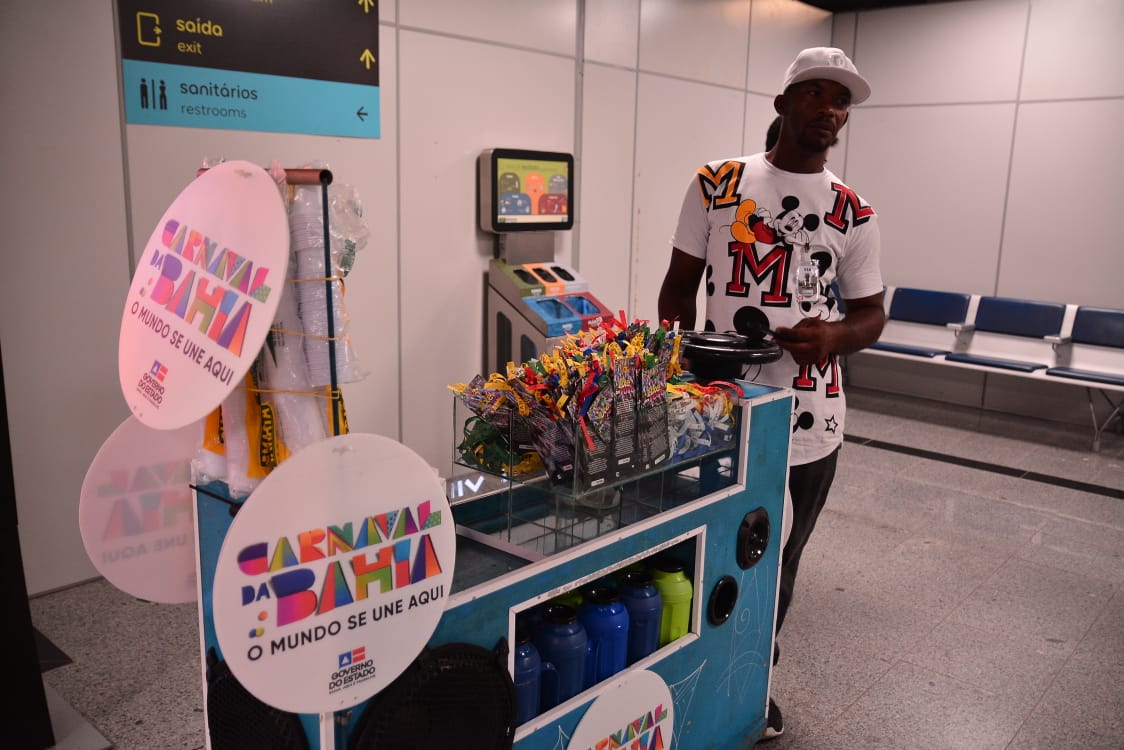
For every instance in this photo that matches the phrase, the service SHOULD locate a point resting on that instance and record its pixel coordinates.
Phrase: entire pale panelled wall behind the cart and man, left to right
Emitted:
(990, 148)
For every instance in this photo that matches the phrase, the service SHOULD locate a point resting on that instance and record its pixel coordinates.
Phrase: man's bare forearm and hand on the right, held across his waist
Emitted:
(812, 340)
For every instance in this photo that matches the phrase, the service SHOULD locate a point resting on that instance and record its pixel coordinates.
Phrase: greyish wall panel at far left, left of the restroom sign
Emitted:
(65, 267)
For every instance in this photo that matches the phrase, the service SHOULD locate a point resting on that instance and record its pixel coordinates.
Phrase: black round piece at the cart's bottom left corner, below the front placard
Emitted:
(239, 721)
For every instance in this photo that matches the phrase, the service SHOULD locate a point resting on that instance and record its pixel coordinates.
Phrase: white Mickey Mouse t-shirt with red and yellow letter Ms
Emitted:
(775, 242)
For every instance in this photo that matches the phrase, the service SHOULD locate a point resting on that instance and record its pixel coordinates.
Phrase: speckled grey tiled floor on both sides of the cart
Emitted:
(965, 590)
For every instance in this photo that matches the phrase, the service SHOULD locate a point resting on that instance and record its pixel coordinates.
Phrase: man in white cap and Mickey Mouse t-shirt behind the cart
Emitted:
(773, 232)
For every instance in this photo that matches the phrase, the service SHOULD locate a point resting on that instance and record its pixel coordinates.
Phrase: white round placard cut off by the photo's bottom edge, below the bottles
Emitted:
(634, 712)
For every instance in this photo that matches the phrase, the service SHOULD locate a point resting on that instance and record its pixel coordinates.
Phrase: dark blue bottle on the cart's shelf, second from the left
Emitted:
(563, 646)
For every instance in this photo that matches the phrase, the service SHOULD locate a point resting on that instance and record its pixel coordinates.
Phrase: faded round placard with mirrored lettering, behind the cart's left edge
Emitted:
(135, 512)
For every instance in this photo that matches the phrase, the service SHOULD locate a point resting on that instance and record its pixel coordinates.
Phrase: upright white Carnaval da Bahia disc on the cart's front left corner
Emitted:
(334, 574)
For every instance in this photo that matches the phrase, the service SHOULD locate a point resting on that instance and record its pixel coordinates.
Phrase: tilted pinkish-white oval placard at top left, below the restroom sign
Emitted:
(204, 295)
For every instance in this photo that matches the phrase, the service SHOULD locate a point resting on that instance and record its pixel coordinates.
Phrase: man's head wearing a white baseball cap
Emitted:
(819, 91)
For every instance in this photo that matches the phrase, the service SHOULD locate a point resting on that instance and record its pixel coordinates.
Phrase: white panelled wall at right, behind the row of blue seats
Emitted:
(991, 149)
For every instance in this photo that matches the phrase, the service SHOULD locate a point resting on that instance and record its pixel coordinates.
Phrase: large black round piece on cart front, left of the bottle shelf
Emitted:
(448, 694)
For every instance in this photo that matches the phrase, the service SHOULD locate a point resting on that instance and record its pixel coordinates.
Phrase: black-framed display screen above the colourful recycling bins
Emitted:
(525, 191)
